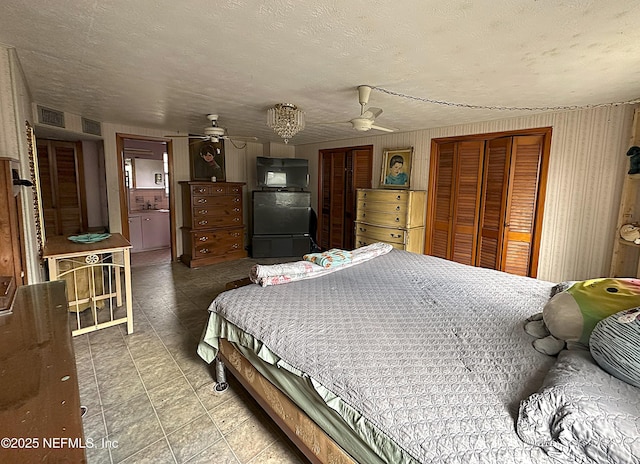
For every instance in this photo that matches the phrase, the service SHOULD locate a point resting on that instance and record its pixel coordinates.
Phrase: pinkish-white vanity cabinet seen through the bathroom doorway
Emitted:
(149, 230)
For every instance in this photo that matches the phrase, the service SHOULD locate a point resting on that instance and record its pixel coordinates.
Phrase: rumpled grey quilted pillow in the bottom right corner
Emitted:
(584, 412)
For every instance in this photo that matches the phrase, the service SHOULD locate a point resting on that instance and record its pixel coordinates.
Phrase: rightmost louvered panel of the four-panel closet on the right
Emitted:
(522, 204)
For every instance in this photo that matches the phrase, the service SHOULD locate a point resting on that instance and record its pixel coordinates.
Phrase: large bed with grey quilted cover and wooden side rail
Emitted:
(406, 358)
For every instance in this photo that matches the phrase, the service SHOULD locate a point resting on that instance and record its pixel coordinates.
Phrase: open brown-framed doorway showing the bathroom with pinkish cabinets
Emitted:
(147, 203)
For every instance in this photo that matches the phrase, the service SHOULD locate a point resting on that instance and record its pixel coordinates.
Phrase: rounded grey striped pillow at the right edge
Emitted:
(615, 345)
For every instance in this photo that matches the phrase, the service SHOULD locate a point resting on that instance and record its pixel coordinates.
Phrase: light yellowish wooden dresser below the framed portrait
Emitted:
(396, 217)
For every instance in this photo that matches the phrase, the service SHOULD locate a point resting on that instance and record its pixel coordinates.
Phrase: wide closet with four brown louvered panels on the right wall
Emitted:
(486, 196)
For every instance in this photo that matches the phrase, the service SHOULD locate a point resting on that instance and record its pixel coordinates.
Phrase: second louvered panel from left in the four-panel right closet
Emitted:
(468, 175)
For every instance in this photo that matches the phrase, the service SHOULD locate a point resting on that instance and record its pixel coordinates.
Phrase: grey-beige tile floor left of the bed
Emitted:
(149, 396)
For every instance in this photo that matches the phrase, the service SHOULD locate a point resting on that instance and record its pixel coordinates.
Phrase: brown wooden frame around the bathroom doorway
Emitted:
(124, 210)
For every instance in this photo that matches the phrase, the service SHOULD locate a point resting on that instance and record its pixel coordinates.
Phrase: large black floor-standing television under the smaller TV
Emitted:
(281, 222)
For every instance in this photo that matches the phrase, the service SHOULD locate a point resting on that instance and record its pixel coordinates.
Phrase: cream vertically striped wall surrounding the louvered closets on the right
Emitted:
(587, 165)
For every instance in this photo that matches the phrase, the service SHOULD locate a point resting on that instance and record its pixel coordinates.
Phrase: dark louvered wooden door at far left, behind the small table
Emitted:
(62, 187)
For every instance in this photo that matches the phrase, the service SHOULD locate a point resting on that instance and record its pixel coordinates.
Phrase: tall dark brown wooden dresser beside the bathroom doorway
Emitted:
(213, 229)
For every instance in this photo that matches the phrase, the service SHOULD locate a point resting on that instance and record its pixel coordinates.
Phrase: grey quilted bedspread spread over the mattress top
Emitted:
(432, 353)
